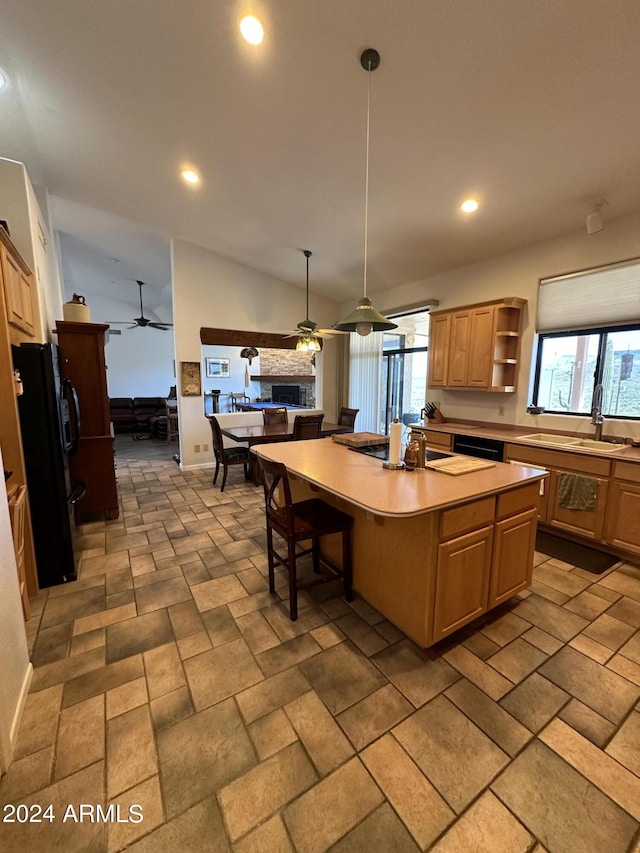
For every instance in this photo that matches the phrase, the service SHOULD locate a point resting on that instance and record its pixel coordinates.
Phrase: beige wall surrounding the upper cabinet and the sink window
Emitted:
(517, 274)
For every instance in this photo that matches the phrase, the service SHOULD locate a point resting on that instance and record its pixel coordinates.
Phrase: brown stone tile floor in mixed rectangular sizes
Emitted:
(168, 677)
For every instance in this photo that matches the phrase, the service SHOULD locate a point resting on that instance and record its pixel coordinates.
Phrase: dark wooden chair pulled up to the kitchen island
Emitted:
(298, 522)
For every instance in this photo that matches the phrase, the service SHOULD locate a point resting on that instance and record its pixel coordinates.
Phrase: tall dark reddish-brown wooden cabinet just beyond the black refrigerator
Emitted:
(82, 346)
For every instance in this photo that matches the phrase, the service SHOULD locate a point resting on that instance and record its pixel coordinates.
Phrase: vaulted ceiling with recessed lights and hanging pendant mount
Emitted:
(530, 107)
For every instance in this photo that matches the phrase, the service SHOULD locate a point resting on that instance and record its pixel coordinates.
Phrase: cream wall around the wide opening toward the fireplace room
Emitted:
(210, 291)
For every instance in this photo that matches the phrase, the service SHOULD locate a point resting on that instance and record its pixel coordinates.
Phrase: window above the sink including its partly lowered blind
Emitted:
(589, 334)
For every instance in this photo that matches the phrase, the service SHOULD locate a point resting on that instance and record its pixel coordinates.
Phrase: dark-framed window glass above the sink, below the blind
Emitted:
(570, 364)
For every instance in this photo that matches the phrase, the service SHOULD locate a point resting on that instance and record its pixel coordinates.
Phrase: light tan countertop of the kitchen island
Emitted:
(362, 480)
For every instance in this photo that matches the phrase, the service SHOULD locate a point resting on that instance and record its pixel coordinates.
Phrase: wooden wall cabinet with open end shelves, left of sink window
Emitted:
(476, 347)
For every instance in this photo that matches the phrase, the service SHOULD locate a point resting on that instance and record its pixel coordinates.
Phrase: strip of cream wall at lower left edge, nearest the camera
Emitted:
(15, 668)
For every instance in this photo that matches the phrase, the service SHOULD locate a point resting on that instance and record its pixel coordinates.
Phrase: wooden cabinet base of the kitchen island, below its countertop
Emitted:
(431, 574)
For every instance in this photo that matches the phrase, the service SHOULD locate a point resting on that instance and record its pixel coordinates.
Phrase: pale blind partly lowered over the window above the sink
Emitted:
(608, 296)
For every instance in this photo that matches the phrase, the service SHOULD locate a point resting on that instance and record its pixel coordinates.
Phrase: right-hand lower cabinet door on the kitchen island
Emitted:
(513, 546)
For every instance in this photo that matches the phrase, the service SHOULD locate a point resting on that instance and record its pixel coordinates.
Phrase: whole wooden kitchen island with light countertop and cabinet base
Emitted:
(431, 551)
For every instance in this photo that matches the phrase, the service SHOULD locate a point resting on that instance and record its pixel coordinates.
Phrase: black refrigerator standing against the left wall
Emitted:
(50, 427)
